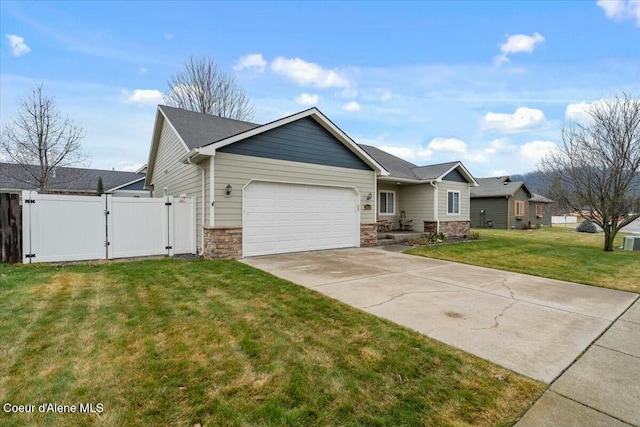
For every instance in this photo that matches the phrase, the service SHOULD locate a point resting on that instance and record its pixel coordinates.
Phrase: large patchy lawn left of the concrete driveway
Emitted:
(166, 342)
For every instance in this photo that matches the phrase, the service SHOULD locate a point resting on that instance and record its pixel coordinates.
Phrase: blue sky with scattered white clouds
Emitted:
(488, 83)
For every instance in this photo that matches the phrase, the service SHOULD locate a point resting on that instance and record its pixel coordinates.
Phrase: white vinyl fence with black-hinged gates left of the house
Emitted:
(77, 228)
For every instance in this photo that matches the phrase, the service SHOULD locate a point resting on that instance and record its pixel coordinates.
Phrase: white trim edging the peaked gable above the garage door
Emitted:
(209, 150)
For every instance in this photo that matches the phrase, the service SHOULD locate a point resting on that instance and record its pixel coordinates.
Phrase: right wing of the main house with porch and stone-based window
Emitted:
(434, 197)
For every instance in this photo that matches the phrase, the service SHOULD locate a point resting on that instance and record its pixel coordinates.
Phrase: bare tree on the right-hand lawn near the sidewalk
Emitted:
(597, 169)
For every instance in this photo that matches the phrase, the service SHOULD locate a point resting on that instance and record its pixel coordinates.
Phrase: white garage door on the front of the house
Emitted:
(279, 218)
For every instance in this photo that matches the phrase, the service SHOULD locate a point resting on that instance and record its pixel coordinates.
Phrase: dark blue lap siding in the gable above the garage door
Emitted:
(302, 141)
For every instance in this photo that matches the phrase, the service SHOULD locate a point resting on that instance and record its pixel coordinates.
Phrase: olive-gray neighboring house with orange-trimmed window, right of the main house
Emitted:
(498, 202)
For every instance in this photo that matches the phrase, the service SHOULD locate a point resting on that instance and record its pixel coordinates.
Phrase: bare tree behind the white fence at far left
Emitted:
(39, 139)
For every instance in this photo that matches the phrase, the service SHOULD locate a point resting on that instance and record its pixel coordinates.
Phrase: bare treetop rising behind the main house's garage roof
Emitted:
(201, 86)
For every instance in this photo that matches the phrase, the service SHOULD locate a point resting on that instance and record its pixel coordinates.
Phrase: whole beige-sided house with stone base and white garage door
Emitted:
(295, 184)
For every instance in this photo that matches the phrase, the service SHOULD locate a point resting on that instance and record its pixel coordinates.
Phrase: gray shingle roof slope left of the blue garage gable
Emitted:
(198, 129)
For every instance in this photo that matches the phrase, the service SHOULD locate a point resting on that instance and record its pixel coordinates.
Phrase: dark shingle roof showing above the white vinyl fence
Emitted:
(14, 177)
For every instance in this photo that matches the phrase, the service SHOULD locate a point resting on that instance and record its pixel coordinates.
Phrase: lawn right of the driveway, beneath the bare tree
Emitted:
(555, 252)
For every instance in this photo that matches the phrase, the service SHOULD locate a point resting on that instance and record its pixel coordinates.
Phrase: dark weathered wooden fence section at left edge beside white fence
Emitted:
(10, 228)
